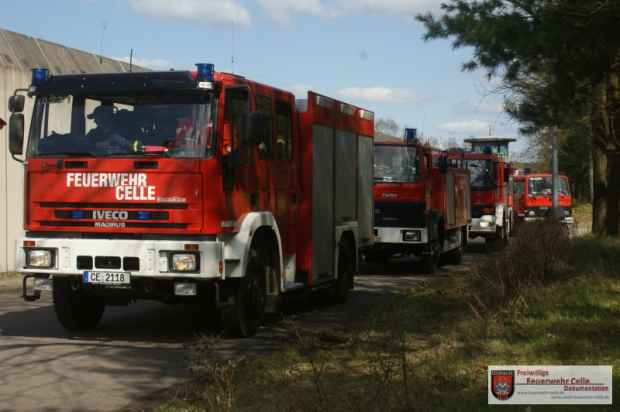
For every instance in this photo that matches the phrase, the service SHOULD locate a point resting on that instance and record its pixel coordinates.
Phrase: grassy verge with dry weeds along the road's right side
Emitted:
(549, 301)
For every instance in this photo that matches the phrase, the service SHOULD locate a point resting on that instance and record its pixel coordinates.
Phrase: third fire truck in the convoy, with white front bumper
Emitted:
(491, 186)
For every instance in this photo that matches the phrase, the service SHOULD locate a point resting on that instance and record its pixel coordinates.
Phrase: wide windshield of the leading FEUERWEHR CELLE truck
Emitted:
(136, 125)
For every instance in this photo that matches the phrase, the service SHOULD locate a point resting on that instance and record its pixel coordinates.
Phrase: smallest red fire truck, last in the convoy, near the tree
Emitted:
(533, 197)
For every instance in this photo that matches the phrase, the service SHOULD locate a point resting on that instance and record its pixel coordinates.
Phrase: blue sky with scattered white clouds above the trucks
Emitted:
(367, 52)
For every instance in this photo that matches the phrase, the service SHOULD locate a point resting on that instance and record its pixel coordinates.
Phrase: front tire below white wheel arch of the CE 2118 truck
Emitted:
(243, 318)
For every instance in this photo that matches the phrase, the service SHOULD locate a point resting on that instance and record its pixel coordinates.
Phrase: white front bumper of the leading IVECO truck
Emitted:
(147, 252)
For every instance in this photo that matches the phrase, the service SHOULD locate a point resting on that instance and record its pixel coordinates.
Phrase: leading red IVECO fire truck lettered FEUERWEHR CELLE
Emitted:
(189, 187)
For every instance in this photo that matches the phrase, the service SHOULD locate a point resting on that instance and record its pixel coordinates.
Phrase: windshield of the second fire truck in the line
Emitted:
(395, 164)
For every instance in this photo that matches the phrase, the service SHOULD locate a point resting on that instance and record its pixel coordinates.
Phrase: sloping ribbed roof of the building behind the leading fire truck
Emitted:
(22, 52)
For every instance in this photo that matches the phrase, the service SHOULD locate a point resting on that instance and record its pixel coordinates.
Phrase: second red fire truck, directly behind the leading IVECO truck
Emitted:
(421, 205)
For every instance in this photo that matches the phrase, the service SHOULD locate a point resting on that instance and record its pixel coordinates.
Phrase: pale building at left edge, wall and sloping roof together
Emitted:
(18, 55)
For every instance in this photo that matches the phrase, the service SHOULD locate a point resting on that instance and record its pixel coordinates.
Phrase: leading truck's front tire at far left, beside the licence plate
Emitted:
(76, 310)
